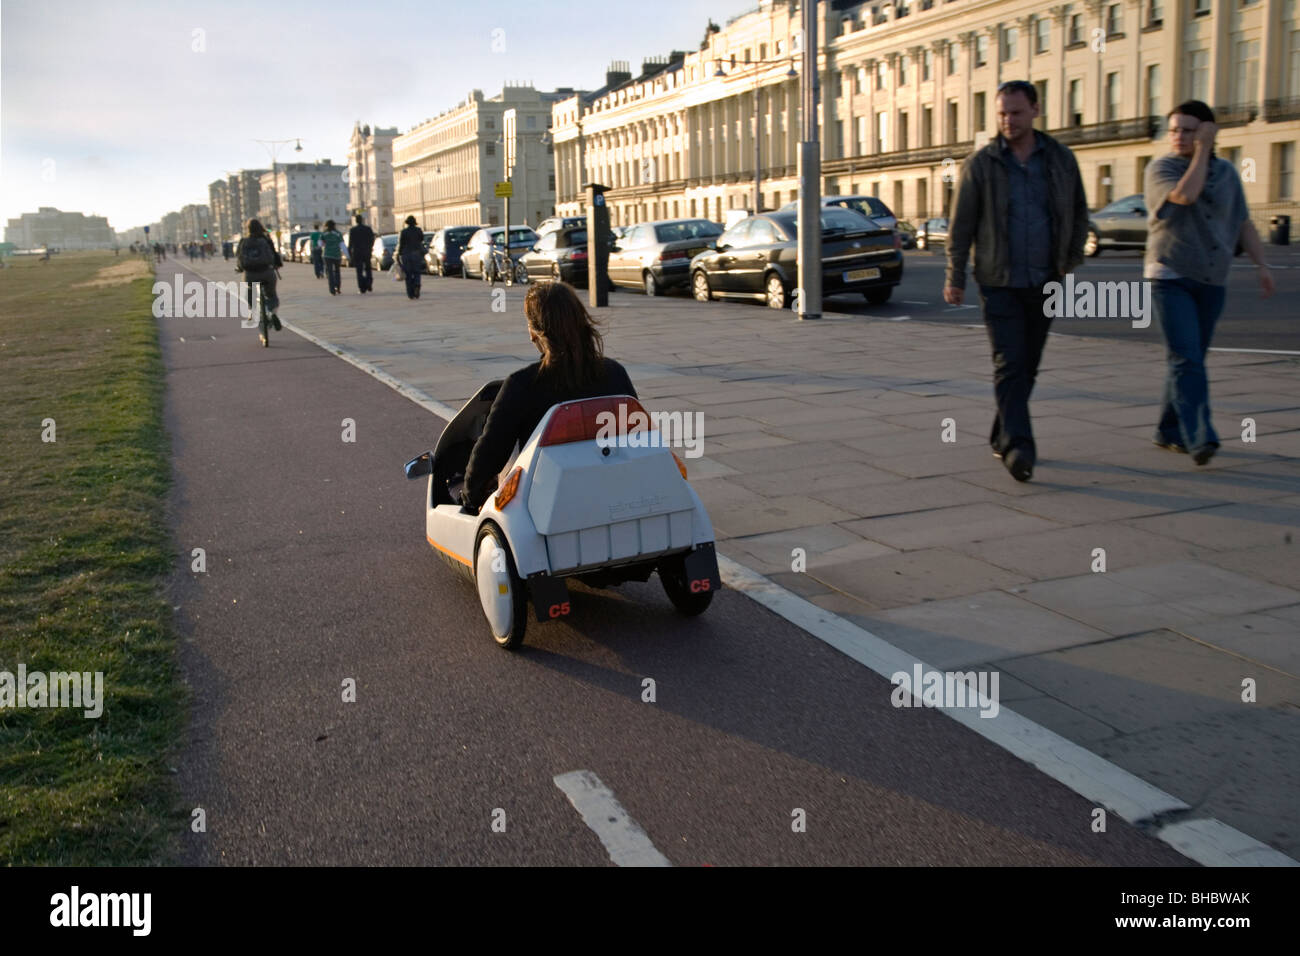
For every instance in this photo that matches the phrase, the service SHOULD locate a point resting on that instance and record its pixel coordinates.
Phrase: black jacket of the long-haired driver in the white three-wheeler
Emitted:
(523, 400)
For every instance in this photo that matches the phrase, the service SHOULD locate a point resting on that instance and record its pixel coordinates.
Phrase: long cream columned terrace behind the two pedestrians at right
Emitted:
(908, 92)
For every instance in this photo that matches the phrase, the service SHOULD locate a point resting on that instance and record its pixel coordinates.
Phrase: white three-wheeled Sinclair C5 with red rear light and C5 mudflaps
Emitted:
(579, 501)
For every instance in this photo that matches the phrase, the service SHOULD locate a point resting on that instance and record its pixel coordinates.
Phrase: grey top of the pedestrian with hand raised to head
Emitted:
(1194, 241)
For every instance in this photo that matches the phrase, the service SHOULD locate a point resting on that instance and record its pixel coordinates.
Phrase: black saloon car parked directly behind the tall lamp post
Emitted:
(759, 259)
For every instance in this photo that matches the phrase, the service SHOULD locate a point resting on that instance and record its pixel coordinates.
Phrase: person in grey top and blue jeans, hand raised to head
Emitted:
(1197, 218)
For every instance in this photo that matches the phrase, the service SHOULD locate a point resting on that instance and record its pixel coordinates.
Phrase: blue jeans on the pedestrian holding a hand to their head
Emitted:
(1188, 312)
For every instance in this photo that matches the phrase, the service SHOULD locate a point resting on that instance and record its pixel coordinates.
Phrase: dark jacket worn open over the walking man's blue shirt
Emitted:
(980, 214)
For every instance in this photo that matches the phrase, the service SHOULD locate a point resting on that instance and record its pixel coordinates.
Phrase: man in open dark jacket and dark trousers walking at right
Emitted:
(1021, 202)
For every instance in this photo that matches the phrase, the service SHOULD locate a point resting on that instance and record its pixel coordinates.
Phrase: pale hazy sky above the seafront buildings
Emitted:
(129, 109)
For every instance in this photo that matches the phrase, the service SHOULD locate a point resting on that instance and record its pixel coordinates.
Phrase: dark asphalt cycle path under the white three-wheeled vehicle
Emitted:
(318, 572)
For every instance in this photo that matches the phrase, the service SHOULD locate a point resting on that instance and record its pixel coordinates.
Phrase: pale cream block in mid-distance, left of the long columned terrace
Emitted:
(445, 171)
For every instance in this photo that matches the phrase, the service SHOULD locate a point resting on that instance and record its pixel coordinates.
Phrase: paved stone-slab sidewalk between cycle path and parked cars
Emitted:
(827, 438)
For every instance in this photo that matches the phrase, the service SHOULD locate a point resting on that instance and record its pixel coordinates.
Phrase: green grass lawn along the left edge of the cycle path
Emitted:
(85, 551)
